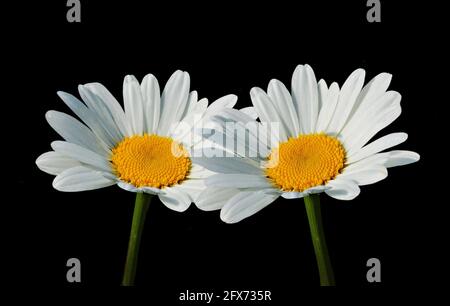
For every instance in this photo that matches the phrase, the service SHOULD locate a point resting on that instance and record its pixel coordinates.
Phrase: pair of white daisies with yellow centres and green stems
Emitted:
(316, 142)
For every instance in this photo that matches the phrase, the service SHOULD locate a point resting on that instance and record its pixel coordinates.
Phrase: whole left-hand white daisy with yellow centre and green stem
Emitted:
(144, 148)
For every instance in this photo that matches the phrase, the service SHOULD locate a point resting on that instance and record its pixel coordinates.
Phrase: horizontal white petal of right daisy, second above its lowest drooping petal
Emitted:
(238, 181)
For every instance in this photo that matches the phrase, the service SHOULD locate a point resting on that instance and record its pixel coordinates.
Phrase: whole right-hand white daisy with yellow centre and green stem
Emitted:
(321, 146)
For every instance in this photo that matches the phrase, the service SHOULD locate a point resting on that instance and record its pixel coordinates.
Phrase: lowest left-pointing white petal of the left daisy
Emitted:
(80, 179)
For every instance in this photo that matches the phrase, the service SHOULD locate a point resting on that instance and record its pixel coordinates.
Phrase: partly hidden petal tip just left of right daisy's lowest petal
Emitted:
(214, 198)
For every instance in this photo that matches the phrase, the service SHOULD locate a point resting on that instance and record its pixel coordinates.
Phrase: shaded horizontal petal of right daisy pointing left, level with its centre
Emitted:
(228, 164)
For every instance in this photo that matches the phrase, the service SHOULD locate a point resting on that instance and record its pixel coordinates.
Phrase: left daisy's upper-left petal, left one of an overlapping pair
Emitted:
(98, 107)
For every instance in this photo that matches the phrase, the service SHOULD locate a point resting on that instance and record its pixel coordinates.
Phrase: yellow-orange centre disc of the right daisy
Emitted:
(306, 161)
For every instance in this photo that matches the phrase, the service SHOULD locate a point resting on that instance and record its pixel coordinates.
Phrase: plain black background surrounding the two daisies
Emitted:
(227, 48)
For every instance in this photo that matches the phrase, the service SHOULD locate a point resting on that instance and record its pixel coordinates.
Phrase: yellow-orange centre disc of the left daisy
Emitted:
(150, 161)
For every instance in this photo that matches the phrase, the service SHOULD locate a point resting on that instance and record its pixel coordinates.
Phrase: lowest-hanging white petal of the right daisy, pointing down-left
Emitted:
(245, 204)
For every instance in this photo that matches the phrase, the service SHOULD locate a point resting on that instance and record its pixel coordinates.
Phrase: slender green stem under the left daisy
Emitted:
(140, 211)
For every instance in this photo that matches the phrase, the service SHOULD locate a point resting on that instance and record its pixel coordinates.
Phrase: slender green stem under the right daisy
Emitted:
(312, 204)
